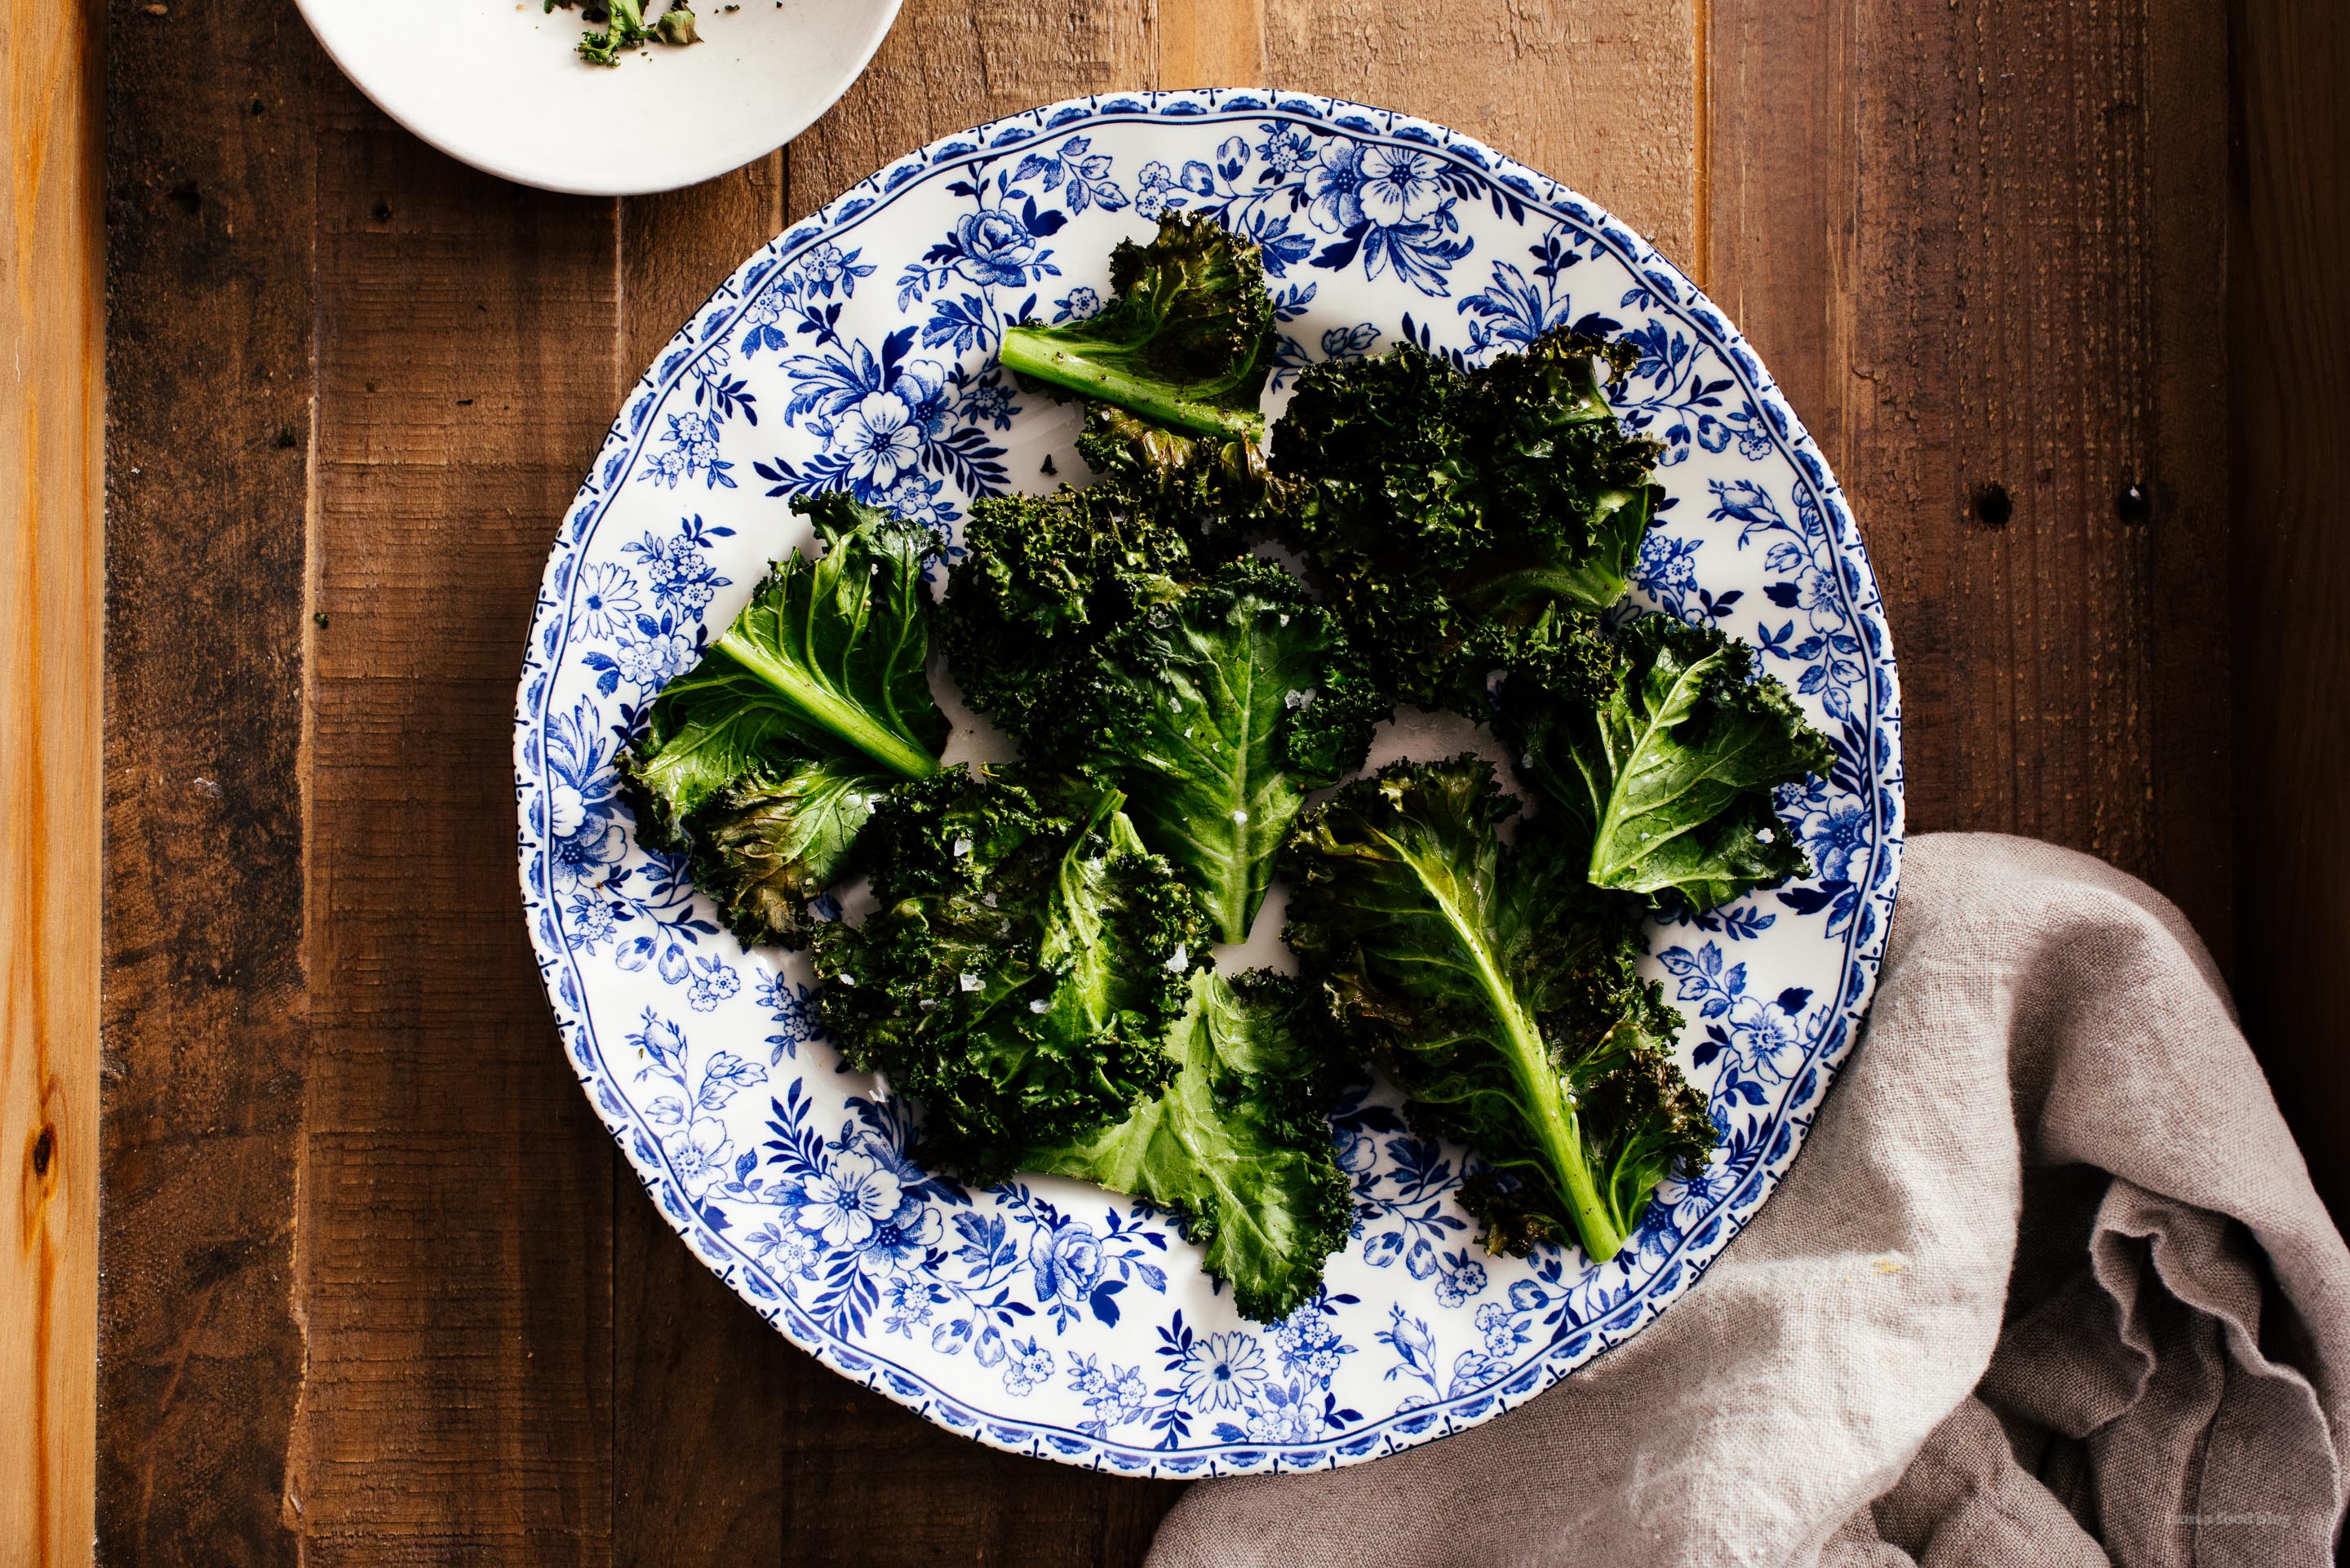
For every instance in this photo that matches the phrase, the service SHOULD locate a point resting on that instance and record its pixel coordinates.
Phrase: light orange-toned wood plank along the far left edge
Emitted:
(53, 551)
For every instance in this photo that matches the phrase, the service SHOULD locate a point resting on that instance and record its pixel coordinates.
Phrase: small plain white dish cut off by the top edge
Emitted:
(499, 83)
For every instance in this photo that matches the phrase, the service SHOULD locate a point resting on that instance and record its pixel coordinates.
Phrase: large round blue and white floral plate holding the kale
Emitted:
(859, 351)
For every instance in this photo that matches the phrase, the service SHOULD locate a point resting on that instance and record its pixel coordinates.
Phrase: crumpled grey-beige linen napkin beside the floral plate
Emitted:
(2048, 1287)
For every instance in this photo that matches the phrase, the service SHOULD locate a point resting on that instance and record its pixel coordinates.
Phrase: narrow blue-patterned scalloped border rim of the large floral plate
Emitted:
(1862, 953)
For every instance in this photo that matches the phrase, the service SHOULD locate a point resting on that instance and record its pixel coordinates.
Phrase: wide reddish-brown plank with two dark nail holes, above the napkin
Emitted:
(1982, 250)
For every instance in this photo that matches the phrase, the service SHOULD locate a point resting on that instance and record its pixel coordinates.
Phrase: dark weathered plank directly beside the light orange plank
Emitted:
(208, 185)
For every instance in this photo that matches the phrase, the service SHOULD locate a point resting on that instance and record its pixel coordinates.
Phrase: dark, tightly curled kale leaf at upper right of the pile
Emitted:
(1453, 514)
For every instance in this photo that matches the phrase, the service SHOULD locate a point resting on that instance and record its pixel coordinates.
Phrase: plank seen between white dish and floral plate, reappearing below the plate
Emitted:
(699, 1379)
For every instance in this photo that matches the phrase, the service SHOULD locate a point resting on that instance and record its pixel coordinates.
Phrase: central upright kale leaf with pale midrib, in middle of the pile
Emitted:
(1216, 711)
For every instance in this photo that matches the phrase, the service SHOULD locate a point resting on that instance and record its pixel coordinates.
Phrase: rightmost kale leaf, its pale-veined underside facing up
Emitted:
(1667, 775)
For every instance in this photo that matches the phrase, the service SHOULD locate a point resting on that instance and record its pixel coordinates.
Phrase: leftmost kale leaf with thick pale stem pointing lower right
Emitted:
(763, 760)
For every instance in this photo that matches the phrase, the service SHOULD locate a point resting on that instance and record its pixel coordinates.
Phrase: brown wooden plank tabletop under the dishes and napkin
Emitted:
(375, 1285)
